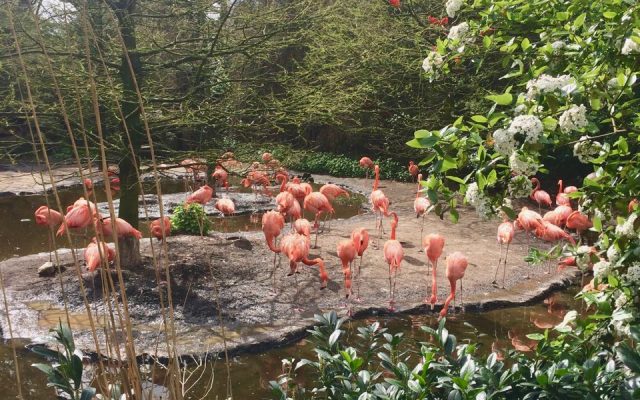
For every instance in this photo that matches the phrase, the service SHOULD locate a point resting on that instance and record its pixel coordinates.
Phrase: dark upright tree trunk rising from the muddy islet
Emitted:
(129, 75)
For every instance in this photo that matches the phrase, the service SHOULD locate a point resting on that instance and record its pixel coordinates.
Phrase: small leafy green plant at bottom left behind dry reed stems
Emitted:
(64, 371)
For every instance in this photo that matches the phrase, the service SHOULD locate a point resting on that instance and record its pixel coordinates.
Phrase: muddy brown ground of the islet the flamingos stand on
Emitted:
(239, 267)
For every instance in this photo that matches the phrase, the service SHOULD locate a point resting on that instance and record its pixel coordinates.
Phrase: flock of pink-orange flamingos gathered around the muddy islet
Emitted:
(294, 196)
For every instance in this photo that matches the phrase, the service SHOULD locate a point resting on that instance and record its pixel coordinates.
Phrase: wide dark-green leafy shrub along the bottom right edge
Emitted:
(381, 365)
